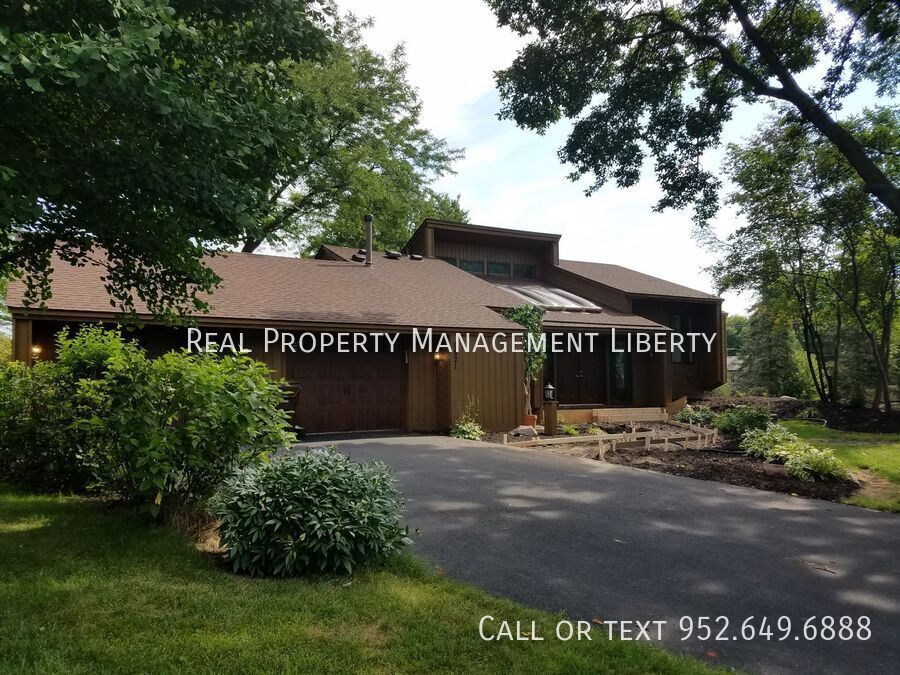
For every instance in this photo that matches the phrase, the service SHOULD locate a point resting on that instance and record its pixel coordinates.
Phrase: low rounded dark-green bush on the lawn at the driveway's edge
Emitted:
(315, 512)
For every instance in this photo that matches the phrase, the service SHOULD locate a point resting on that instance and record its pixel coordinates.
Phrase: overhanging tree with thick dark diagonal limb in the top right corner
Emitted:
(663, 76)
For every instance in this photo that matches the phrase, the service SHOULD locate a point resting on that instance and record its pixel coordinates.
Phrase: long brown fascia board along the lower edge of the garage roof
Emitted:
(225, 322)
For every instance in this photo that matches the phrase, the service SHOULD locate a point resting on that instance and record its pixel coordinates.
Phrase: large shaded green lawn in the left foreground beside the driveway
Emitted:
(84, 588)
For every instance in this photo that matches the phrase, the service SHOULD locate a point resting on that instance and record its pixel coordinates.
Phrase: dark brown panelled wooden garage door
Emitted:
(348, 392)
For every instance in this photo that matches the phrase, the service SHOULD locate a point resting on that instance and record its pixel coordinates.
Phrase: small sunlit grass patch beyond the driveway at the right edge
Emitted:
(877, 454)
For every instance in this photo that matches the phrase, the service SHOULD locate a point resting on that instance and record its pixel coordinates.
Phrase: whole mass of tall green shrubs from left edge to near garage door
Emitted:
(163, 433)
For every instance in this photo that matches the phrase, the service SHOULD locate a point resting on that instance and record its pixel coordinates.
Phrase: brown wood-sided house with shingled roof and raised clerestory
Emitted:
(449, 277)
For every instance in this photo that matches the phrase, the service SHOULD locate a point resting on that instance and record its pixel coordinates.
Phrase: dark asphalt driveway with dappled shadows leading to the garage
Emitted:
(610, 542)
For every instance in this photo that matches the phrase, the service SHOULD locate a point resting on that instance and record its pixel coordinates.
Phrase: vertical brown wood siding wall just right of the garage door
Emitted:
(493, 382)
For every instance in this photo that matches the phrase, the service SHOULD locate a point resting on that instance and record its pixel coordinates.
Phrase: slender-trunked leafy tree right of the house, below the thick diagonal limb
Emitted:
(814, 238)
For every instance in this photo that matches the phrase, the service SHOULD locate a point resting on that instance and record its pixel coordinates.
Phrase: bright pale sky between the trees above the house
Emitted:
(512, 177)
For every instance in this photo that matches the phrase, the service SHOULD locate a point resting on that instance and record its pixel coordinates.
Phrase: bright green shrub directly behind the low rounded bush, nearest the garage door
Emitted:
(178, 425)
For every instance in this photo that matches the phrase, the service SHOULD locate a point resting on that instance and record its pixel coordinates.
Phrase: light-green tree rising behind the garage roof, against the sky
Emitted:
(367, 153)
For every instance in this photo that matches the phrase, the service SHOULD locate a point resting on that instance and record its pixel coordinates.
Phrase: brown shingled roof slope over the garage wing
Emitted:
(392, 293)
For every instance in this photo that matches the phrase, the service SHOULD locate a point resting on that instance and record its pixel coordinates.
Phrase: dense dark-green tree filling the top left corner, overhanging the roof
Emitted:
(151, 130)
